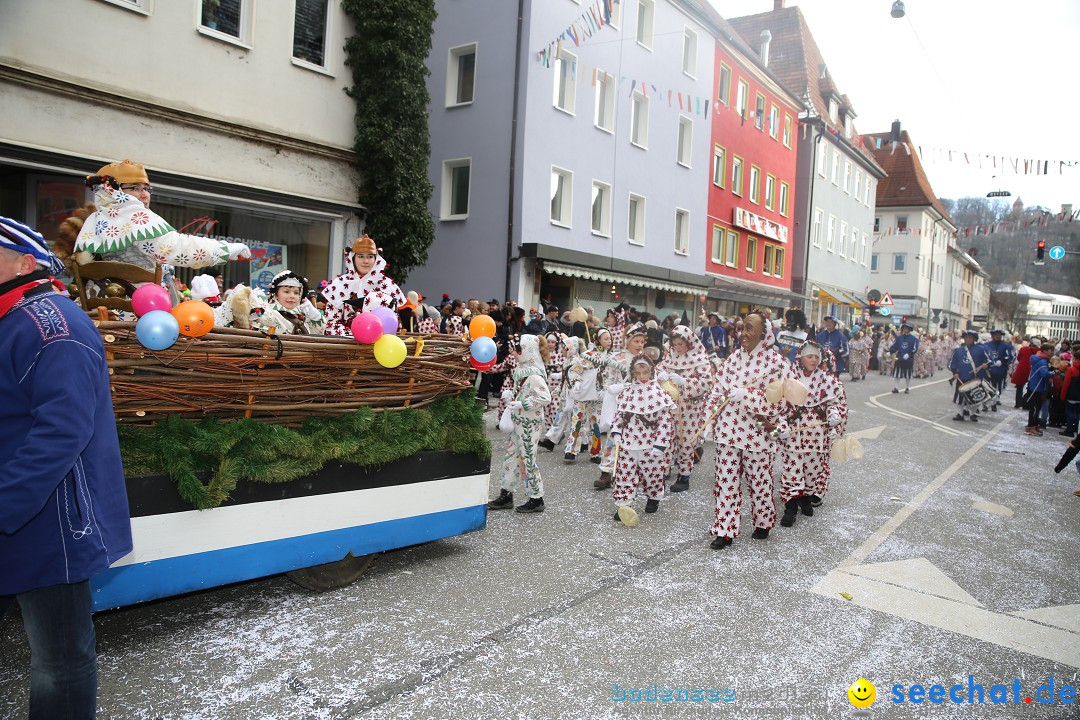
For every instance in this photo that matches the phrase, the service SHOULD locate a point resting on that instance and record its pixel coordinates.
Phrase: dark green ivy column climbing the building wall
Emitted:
(387, 57)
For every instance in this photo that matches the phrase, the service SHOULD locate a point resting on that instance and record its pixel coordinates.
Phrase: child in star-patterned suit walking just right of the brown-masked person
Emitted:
(812, 428)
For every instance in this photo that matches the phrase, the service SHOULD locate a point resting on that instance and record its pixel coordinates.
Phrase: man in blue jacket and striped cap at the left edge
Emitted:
(64, 512)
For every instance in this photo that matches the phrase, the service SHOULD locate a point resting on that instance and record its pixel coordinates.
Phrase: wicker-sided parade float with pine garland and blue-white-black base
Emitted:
(250, 454)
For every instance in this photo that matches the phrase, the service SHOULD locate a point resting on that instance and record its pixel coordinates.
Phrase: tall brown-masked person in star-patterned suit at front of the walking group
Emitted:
(741, 420)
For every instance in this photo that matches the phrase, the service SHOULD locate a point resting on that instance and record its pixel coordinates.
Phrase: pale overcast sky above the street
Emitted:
(994, 77)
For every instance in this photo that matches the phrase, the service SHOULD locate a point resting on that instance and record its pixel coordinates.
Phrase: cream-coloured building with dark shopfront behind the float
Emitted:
(239, 117)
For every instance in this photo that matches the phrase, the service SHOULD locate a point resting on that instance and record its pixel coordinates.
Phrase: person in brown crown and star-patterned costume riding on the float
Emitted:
(362, 288)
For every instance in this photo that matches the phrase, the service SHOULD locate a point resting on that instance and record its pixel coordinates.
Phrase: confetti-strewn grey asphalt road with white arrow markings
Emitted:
(955, 542)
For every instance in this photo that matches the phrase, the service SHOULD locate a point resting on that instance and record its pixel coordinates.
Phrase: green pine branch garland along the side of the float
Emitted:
(248, 451)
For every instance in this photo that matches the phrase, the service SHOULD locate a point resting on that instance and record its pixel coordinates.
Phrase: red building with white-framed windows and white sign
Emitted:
(752, 195)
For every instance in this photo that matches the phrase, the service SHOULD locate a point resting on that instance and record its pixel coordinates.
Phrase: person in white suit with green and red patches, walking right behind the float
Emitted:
(531, 396)
